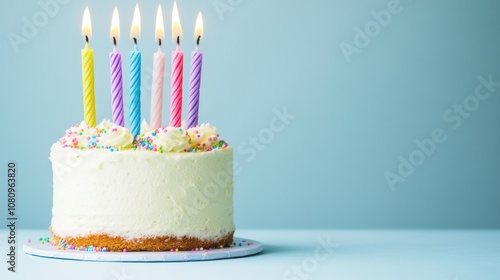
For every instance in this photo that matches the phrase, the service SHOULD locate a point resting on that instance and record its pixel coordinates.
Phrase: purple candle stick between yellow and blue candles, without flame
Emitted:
(116, 88)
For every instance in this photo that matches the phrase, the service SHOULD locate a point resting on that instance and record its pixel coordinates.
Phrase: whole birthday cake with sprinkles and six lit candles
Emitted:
(164, 188)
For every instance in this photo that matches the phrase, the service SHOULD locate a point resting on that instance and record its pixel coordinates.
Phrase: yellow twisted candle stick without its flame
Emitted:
(88, 86)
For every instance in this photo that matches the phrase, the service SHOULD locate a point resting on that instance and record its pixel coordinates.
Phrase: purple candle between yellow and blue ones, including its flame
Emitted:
(115, 59)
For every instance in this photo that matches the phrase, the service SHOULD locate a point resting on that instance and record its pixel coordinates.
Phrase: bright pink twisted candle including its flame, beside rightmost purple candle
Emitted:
(177, 68)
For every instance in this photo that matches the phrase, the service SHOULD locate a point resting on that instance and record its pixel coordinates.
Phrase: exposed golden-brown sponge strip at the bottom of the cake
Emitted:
(158, 243)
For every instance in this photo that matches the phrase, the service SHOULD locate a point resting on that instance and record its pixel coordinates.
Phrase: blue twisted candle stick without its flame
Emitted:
(135, 92)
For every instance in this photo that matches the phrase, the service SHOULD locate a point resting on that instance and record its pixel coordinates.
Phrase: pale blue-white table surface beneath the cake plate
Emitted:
(299, 254)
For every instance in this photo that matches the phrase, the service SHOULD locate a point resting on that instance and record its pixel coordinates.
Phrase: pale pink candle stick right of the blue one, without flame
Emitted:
(157, 89)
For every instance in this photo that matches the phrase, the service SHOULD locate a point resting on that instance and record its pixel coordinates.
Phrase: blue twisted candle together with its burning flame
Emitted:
(135, 76)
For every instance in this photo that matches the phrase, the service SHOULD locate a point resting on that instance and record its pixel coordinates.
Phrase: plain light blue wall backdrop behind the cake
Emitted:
(352, 119)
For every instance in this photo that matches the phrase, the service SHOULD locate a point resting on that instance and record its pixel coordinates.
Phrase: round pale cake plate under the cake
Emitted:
(242, 247)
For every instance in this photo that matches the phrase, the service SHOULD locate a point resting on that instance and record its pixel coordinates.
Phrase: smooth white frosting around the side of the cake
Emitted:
(138, 193)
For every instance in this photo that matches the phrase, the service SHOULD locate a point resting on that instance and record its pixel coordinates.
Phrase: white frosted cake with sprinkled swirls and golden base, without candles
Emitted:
(170, 189)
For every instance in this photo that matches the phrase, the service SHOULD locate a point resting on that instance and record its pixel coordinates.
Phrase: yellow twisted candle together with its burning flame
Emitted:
(88, 72)
